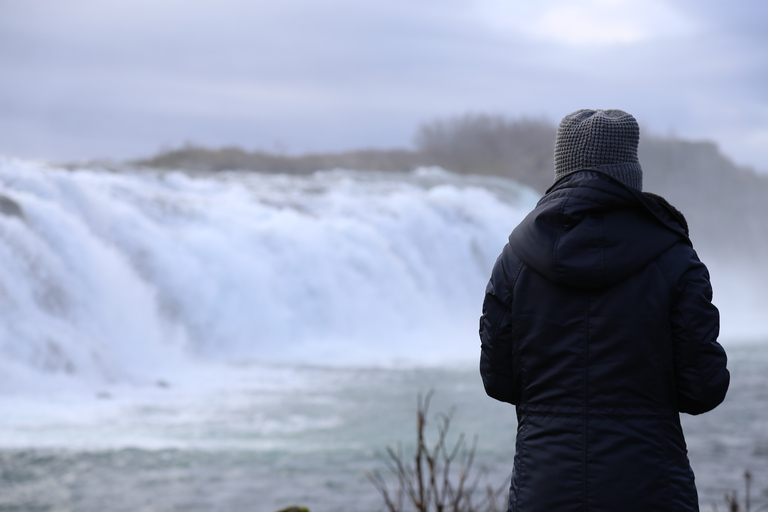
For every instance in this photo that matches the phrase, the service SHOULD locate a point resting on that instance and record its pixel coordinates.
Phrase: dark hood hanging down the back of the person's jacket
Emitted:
(591, 231)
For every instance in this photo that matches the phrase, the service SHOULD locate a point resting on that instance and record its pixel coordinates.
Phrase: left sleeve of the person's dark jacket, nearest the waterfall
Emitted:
(497, 365)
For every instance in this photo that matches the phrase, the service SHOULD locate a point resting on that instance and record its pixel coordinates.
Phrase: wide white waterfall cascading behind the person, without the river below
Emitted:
(110, 277)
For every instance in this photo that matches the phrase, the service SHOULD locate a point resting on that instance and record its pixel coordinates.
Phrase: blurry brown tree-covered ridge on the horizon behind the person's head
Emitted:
(726, 205)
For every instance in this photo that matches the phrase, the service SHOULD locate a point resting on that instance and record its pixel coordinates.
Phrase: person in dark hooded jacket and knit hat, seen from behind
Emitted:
(598, 326)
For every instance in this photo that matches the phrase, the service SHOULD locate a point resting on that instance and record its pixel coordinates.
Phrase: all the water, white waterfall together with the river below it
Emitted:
(247, 341)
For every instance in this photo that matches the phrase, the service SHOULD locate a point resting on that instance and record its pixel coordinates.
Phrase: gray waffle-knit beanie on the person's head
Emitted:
(599, 140)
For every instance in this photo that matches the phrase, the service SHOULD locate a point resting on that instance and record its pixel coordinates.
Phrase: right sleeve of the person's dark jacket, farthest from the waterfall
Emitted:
(700, 361)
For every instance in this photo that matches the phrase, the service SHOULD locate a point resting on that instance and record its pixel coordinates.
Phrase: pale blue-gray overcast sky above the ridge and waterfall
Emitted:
(124, 78)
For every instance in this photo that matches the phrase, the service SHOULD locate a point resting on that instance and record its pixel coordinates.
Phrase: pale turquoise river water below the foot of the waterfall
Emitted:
(311, 442)
